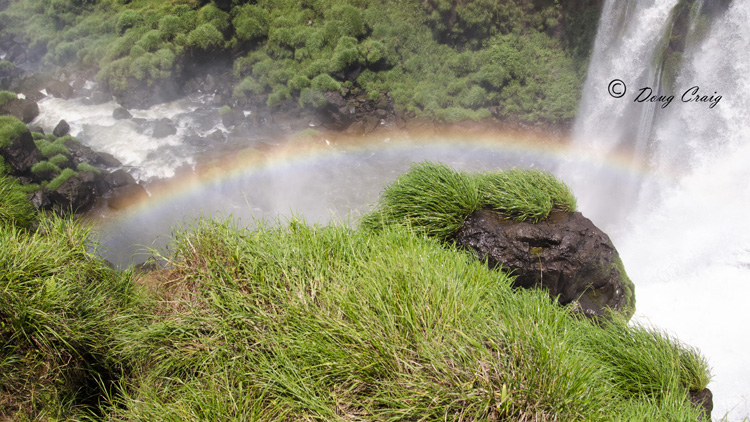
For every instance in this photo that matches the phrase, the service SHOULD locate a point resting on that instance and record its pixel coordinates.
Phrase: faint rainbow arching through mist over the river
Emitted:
(295, 156)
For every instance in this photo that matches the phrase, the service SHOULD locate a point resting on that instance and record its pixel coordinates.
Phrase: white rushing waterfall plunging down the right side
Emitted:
(681, 228)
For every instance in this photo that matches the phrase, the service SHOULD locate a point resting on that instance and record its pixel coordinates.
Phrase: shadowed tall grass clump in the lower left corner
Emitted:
(58, 309)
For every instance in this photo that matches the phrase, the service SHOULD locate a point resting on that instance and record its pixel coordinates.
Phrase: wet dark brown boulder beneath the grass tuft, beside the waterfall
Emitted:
(565, 254)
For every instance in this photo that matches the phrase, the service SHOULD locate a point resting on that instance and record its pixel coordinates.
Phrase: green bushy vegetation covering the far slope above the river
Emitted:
(447, 60)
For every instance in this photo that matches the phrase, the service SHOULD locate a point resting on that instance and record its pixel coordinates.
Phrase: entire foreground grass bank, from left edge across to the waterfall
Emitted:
(291, 321)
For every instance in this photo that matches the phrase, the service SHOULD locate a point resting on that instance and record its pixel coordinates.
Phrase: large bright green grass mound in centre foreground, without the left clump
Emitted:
(301, 322)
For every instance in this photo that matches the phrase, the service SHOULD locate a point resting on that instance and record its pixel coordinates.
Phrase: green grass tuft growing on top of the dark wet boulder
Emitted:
(435, 199)
